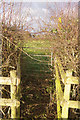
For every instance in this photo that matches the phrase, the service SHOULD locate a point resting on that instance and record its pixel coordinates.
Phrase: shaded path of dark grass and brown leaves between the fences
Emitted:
(35, 79)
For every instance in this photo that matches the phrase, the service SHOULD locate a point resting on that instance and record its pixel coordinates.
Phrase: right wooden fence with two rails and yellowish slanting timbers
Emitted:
(63, 98)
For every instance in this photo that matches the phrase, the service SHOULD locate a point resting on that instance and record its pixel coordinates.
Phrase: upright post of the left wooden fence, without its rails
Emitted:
(13, 92)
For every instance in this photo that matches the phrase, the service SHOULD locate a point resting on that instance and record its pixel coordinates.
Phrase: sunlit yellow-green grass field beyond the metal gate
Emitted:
(38, 44)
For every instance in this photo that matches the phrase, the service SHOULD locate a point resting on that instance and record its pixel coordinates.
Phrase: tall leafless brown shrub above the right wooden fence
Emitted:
(65, 34)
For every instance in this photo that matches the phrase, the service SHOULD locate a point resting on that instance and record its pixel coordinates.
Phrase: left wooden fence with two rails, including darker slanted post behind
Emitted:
(14, 82)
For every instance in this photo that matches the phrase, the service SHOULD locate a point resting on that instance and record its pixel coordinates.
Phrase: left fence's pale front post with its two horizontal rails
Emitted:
(13, 102)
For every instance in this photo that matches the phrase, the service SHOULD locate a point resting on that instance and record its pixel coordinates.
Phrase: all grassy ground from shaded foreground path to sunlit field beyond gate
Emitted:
(35, 79)
